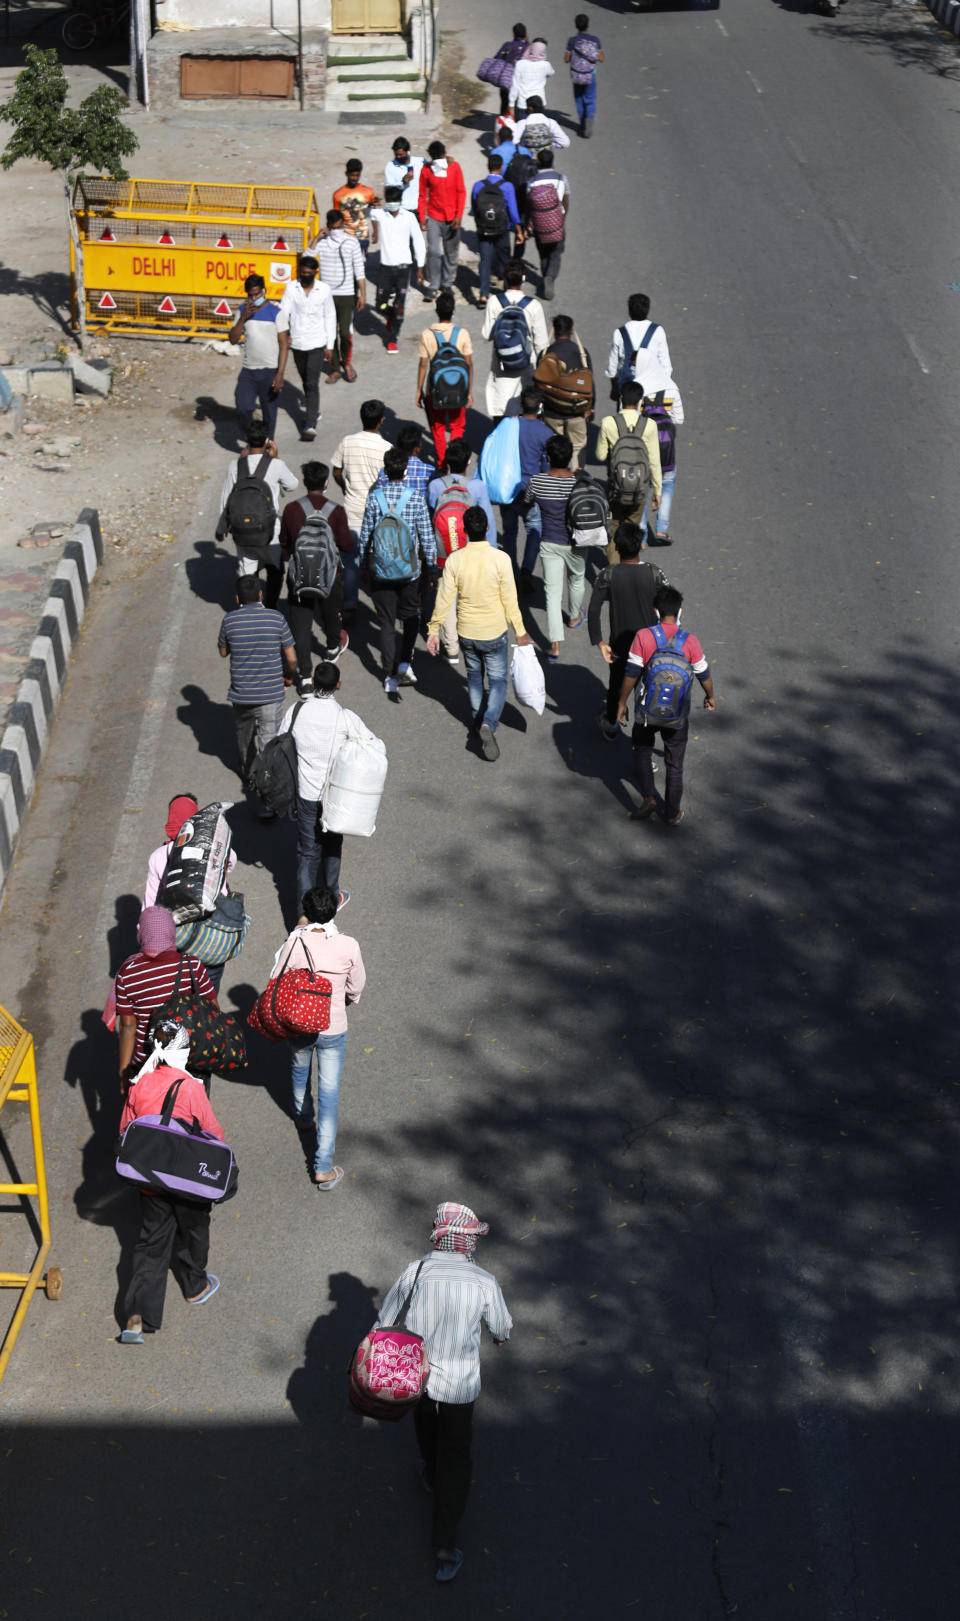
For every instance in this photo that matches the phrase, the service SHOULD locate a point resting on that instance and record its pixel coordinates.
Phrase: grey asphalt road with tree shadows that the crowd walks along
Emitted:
(701, 1085)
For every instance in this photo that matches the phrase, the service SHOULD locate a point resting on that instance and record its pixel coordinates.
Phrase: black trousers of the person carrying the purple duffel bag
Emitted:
(169, 1231)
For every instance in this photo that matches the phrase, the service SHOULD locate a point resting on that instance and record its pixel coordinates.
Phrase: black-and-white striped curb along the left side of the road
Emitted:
(32, 714)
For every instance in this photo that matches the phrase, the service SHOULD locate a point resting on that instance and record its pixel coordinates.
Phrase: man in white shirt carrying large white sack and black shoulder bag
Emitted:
(320, 725)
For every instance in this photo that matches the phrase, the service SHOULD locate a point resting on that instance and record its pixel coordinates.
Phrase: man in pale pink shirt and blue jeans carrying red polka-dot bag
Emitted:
(336, 957)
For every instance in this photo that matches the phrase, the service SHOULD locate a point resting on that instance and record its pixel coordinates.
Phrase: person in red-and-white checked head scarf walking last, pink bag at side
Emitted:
(450, 1304)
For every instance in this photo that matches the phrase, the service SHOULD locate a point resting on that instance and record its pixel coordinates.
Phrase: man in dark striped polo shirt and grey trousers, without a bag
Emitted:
(260, 648)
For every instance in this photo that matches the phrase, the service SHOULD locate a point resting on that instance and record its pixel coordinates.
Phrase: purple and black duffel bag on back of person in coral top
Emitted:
(178, 1157)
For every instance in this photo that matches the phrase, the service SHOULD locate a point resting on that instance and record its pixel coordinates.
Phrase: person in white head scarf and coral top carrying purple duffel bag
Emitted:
(169, 1228)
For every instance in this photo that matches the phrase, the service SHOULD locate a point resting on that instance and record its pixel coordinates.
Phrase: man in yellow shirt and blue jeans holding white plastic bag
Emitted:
(481, 583)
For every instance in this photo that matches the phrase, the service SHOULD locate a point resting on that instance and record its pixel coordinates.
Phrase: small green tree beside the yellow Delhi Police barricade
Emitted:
(67, 139)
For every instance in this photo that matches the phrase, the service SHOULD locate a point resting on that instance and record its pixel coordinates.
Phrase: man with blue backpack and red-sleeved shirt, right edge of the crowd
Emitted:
(666, 659)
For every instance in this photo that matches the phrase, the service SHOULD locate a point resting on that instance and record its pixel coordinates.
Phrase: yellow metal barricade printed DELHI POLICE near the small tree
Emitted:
(173, 255)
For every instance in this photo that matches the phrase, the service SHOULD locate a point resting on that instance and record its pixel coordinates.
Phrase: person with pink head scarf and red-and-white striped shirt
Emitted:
(147, 982)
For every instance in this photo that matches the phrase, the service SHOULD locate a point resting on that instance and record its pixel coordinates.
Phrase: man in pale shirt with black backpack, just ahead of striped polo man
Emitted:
(251, 508)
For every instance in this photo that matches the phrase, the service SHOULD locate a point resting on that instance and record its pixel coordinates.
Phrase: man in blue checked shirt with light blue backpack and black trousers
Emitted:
(396, 532)
